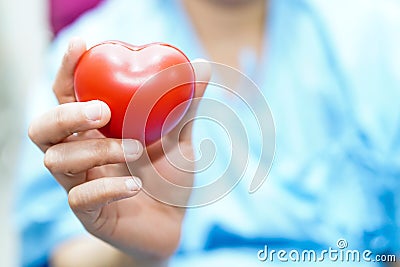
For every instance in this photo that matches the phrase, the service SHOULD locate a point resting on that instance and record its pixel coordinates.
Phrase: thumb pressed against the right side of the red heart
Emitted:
(202, 70)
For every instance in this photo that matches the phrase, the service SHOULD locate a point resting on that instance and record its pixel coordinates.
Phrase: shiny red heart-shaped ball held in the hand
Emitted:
(148, 88)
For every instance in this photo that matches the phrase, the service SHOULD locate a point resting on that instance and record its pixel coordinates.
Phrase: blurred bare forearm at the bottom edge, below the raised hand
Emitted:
(86, 251)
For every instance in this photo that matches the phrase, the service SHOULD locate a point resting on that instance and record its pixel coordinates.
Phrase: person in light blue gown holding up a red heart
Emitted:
(329, 73)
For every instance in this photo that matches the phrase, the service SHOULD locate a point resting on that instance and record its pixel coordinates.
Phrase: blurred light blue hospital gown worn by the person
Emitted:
(330, 73)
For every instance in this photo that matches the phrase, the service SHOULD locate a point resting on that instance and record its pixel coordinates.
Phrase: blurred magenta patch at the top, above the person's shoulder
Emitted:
(64, 12)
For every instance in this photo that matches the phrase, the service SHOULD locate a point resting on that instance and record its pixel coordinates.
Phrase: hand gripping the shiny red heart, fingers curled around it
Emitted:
(95, 171)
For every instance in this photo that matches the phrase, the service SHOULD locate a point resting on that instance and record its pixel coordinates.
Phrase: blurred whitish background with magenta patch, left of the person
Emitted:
(26, 29)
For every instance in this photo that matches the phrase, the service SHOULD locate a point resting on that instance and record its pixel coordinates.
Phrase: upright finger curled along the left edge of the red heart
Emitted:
(63, 86)
